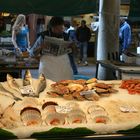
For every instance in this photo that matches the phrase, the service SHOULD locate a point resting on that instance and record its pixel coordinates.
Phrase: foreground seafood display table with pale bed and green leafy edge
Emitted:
(121, 125)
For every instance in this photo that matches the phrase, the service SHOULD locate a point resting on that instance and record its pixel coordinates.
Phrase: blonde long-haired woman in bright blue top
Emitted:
(20, 34)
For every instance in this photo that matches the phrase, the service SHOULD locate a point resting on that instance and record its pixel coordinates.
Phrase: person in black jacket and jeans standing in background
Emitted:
(83, 35)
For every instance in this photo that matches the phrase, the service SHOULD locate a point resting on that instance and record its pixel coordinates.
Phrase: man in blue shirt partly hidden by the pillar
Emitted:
(124, 36)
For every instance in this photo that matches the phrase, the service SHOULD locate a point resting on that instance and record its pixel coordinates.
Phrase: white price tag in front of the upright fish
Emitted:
(27, 90)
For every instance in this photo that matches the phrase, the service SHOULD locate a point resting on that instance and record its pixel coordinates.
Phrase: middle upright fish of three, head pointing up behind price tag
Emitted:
(27, 78)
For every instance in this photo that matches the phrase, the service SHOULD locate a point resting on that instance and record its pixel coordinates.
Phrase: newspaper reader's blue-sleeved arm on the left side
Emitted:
(36, 48)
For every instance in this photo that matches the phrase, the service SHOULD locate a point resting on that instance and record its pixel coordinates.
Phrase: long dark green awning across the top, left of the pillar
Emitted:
(49, 7)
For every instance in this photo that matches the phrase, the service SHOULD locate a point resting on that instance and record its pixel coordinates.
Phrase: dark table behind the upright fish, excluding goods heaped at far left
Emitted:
(15, 66)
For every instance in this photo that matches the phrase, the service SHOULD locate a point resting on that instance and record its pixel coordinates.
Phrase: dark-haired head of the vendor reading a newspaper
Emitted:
(57, 25)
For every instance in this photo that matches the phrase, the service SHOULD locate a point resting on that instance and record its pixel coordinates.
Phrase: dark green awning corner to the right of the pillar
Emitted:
(134, 13)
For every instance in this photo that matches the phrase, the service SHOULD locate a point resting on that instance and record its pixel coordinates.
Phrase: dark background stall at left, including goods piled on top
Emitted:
(10, 63)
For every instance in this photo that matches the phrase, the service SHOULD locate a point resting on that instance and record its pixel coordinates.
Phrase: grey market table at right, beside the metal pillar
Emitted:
(123, 70)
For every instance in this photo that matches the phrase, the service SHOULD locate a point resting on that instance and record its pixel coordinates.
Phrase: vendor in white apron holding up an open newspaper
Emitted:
(53, 65)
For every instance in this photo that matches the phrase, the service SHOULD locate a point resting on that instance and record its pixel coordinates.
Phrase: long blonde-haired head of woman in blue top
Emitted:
(20, 21)
